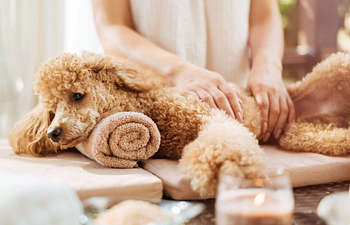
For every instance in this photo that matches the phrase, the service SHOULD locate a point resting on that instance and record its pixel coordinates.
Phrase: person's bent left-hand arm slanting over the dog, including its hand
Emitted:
(115, 27)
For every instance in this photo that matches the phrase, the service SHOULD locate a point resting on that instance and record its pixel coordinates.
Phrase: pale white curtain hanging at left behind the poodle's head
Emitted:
(31, 32)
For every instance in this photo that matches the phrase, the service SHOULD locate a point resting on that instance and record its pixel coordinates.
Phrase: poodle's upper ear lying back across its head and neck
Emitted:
(123, 73)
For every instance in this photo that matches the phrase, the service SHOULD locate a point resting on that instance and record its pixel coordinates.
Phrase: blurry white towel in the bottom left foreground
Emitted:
(27, 201)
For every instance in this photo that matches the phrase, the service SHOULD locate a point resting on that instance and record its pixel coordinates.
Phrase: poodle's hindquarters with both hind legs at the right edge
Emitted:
(322, 105)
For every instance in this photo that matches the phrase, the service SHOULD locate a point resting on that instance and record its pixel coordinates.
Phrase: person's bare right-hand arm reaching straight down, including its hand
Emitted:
(265, 80)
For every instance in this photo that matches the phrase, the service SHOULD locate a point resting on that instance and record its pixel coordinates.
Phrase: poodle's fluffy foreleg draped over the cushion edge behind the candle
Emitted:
(222, 142)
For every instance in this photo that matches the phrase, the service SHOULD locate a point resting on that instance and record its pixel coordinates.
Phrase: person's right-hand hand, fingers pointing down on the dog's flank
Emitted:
(273, 99)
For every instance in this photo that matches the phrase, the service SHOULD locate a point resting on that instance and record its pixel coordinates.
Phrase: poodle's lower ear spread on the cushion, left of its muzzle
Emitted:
(29, 135)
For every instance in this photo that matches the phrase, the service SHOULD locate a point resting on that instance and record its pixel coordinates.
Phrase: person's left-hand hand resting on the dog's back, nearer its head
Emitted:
(211, 88)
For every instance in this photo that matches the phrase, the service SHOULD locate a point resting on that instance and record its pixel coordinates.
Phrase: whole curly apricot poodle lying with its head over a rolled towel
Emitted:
(77, 92)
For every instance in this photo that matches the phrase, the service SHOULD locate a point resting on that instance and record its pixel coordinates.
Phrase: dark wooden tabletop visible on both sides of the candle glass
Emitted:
(306, 202)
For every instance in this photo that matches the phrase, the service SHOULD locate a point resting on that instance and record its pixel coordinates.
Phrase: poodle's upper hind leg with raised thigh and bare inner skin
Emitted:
(325, 91)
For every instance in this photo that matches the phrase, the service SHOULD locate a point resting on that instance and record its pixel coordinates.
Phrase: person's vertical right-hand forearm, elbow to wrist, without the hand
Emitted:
(266, 43)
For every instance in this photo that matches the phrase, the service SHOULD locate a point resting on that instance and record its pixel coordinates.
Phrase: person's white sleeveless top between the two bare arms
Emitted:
(212, 34)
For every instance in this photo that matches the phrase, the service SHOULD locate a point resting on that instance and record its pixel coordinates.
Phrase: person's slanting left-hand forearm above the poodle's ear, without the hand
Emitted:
(123, 41)
